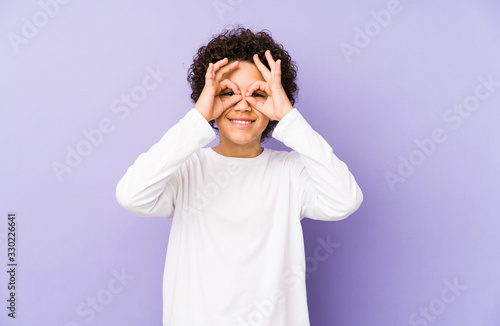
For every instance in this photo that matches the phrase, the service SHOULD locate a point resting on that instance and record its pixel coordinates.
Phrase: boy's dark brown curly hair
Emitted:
(241, 44)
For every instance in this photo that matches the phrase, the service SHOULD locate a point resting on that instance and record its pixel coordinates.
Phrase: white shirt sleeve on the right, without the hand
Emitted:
(327, 189)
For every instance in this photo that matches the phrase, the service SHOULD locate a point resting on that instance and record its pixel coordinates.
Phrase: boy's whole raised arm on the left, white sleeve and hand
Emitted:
(148, 188)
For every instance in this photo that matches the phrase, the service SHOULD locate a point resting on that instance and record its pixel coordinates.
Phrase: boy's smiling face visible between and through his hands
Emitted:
(242, 124)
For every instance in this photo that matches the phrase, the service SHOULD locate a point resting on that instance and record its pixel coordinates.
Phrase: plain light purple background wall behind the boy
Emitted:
(393, 256)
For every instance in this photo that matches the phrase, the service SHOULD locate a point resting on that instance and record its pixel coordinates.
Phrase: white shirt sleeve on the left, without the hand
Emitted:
(149, 186)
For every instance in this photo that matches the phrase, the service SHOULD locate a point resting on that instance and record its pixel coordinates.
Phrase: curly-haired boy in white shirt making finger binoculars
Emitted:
(236, 253)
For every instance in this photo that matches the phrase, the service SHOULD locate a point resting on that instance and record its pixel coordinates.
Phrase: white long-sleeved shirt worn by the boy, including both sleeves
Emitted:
(235, 254)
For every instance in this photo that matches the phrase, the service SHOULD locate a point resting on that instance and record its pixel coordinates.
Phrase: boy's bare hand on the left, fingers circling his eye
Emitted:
(209, 104)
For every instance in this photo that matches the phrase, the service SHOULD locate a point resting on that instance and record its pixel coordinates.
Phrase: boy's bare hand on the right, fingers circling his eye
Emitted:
(277, 104)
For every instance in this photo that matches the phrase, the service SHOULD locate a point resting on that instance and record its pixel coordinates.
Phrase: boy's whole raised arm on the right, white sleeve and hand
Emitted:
(327, 190)
